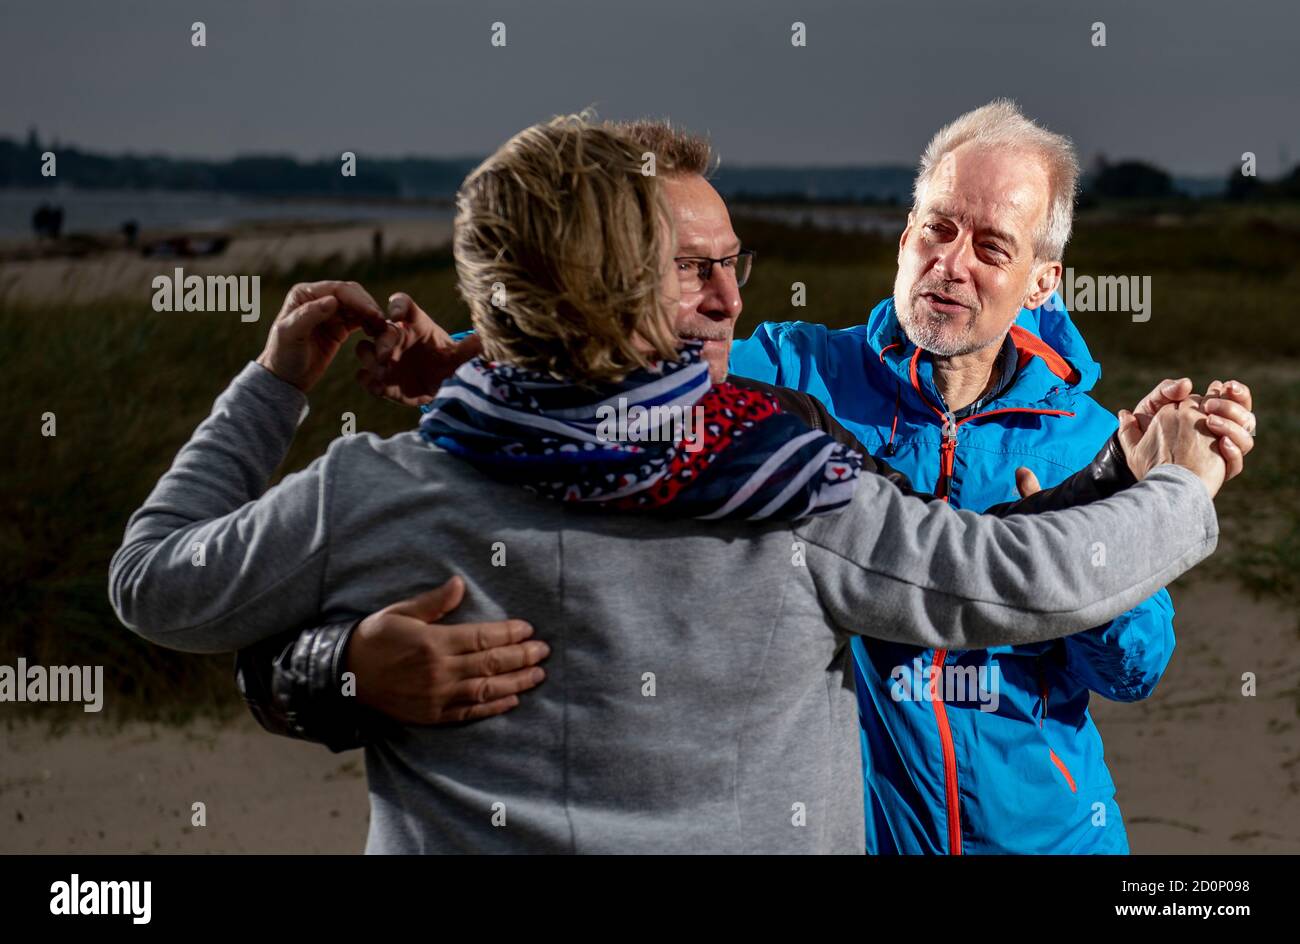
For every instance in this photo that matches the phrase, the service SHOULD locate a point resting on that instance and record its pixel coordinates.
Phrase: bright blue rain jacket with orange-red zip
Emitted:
(942, 776)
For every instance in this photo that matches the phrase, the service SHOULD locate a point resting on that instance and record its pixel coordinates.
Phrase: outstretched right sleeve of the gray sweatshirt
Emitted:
(924, 574)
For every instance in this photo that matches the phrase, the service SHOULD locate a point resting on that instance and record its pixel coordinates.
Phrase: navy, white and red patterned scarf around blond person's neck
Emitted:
(664, 441)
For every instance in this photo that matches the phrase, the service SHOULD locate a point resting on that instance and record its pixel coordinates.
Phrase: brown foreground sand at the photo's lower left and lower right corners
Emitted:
(1201, 768)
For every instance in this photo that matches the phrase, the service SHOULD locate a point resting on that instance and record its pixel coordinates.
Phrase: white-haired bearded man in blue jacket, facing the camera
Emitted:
(972, 370)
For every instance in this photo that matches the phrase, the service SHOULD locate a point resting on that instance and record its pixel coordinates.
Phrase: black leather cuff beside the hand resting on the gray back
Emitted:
(293, 685)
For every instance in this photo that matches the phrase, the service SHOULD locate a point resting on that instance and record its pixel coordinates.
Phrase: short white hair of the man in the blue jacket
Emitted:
(1002, 125)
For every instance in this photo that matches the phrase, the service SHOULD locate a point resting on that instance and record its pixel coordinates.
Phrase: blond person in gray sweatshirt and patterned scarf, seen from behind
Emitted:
(699, 583)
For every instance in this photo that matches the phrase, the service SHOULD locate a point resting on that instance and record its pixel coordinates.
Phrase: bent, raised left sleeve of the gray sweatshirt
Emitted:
(207, 568)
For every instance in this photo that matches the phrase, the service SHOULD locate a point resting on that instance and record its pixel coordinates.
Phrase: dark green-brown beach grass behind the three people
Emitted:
(128, 386)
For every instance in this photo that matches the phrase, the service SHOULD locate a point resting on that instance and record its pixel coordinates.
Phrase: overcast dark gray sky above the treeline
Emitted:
(1188, 84)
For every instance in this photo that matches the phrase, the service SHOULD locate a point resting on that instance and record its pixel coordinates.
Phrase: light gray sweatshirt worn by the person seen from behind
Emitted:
(697, 696)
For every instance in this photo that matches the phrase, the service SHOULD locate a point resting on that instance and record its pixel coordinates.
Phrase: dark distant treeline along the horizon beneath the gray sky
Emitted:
(439, 179)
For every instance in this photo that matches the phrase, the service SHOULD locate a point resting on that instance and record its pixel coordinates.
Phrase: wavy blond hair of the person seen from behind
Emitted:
(560, 246)
